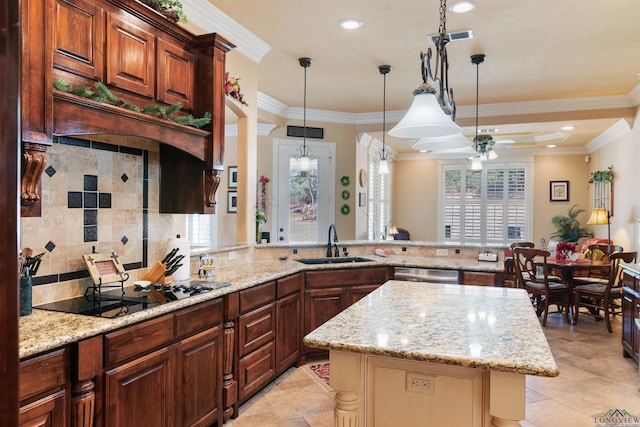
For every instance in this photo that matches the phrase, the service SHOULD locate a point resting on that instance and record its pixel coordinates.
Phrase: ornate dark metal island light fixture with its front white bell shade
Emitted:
(433, 110)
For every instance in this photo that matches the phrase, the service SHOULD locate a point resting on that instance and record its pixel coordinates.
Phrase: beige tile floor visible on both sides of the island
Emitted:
(594, 377)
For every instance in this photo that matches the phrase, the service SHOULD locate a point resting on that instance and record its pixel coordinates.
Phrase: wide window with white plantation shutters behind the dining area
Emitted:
(489, 206)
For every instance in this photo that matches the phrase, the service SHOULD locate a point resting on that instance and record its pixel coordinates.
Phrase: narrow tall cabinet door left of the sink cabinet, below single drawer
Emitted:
(288, 327)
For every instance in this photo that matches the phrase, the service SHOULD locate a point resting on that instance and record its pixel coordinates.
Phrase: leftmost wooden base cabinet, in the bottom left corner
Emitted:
(44, 390)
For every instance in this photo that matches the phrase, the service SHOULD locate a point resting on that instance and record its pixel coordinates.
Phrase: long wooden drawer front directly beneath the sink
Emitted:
(342, 277)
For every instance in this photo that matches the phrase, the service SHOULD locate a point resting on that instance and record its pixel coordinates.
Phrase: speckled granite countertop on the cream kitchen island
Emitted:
(469, 326)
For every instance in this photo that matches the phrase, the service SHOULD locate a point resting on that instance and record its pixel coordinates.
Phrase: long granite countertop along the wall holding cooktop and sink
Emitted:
(46, 330)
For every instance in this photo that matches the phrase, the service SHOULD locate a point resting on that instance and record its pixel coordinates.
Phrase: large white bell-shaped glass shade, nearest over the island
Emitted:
(425, 119)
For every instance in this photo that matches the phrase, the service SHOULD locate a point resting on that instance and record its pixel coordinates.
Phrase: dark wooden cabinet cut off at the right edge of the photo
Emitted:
(630, 311)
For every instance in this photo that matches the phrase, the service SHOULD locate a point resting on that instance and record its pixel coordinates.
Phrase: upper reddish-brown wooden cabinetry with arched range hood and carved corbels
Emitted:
(143, 59)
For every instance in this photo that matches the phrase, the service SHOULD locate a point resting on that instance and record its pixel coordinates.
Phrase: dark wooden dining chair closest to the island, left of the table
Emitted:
(535, 280)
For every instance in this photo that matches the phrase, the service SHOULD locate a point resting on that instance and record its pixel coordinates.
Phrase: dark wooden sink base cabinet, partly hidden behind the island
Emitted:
(328, 292)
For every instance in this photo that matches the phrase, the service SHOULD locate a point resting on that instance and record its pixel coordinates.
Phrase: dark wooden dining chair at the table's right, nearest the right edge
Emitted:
(598, 296)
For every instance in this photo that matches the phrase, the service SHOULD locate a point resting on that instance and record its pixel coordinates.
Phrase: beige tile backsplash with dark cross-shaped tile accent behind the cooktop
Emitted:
(98, 194)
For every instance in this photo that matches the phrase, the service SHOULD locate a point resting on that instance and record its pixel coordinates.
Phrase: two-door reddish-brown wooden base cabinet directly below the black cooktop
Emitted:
(166, 371)
